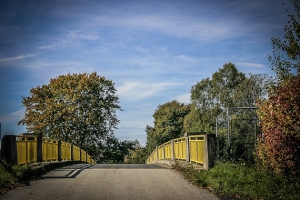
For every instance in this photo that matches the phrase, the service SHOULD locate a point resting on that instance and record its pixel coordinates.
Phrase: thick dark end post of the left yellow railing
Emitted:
(9, 149)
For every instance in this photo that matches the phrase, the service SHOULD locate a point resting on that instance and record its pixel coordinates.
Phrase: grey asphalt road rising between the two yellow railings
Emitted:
(115, 182)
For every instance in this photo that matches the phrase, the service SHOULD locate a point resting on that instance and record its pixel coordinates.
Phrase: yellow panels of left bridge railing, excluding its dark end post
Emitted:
(27, 151)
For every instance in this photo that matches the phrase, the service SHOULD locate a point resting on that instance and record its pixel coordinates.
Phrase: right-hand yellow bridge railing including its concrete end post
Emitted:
(197, 149)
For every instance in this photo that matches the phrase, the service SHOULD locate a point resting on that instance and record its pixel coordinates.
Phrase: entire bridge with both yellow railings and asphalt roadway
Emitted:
(110, 181)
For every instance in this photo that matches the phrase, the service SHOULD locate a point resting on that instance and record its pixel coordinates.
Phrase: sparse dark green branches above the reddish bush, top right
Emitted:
(286, 52)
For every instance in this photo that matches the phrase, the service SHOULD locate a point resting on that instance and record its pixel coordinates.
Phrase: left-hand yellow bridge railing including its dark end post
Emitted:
(29, 149)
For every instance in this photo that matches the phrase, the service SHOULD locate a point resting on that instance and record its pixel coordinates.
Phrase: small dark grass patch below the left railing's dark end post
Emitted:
(12, 176)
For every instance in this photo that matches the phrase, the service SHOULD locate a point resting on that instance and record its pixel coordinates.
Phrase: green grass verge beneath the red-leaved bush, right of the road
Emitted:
(242, 182)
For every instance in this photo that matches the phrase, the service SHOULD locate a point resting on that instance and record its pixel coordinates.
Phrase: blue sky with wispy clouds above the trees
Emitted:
(153, 50)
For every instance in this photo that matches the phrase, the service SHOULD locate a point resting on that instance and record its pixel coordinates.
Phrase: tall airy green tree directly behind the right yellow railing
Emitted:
(211, 97)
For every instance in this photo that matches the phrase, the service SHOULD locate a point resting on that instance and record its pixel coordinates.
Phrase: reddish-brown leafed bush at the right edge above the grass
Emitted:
(280, 148)
